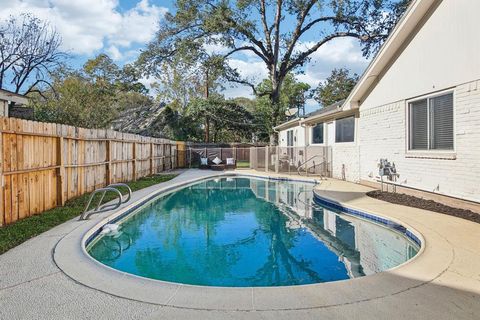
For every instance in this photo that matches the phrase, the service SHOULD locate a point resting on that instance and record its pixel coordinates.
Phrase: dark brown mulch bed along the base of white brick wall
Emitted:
(411, 201)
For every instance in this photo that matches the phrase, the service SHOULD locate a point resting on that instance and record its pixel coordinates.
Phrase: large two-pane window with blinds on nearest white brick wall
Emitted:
(431, 123)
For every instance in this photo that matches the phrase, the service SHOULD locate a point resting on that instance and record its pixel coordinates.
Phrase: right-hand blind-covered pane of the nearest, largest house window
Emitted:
(441, 122)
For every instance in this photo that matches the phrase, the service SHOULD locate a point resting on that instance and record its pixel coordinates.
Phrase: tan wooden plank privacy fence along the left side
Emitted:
(45, 164)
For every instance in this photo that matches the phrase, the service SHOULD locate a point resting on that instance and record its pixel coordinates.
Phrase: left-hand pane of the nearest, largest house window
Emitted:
(419, 125)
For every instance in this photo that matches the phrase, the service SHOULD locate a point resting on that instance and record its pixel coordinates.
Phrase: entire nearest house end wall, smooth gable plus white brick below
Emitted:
(442, 55)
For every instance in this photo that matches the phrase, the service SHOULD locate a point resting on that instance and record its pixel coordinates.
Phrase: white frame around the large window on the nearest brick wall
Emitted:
(430, 153)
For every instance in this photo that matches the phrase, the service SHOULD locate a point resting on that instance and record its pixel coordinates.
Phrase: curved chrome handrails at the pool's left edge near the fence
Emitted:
(99, 208)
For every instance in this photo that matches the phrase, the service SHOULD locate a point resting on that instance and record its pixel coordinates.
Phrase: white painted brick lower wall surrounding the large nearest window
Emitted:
(382, 134)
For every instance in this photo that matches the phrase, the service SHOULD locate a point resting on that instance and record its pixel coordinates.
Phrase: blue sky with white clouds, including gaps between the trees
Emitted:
(121, 28)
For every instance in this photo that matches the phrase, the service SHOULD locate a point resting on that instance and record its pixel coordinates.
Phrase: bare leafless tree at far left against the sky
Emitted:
(29, 51)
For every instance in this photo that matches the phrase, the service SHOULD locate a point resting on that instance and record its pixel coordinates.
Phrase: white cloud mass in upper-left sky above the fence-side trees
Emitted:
(89, 26)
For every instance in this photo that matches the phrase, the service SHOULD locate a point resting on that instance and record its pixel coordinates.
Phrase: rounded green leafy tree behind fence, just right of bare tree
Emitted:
(92, 97)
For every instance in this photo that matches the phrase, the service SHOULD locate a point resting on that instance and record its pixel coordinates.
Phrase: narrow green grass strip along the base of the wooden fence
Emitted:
(20, 231)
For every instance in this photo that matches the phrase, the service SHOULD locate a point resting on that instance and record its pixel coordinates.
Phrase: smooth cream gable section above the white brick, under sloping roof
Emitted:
(442, 54)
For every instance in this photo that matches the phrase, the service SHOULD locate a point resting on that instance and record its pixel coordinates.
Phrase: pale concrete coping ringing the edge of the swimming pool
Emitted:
(71, 257)
